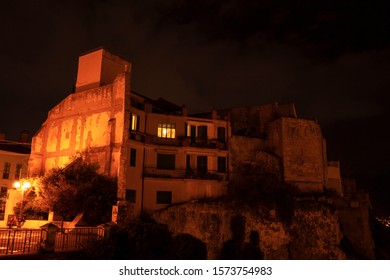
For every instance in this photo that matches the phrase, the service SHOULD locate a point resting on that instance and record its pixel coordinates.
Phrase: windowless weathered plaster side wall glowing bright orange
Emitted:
(90, 122)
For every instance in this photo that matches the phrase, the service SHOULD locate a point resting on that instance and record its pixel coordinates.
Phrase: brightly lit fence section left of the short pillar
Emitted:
(16, 241)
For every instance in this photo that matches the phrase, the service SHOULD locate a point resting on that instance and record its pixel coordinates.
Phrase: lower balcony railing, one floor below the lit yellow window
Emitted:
(184, 174)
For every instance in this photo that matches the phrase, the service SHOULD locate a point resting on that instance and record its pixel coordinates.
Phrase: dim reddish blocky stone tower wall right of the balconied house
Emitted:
(300, 144)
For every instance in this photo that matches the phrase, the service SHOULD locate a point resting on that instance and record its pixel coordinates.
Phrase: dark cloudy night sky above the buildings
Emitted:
(330, 57)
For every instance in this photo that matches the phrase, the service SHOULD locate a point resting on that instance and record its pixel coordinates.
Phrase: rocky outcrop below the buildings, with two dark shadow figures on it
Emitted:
(229, 229)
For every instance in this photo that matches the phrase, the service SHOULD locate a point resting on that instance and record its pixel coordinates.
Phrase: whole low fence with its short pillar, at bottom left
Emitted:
(32, 241)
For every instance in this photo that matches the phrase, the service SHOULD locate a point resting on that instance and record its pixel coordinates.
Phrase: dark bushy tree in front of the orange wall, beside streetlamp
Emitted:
(73, 189)
